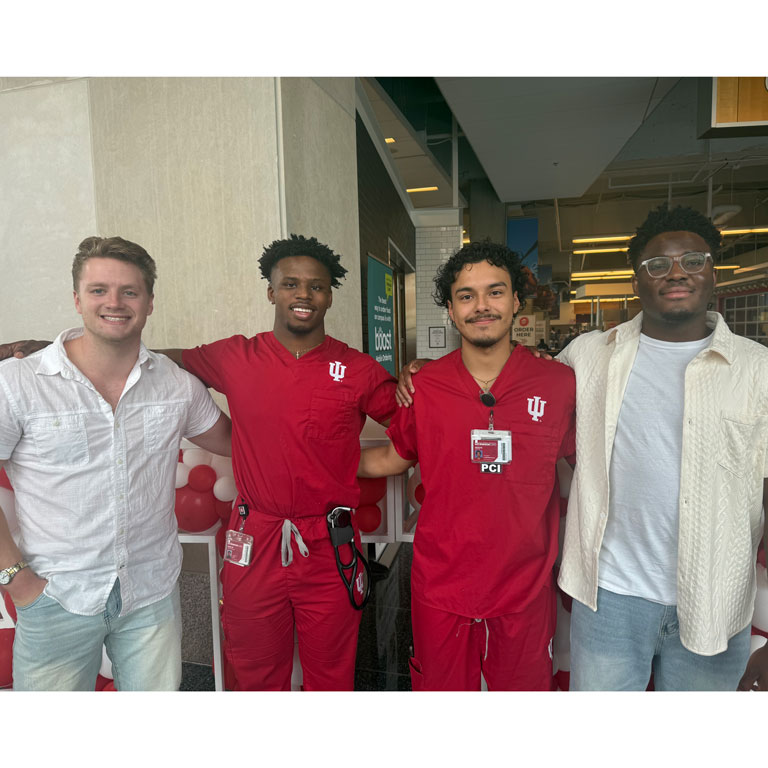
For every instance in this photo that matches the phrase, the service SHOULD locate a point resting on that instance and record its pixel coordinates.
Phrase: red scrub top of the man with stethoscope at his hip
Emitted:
(295, 423)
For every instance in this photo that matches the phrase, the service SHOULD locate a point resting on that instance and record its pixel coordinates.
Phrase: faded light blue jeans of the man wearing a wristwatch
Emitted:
(55, 650)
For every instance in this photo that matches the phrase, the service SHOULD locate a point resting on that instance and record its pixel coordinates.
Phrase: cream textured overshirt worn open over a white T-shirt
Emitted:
(723, 463)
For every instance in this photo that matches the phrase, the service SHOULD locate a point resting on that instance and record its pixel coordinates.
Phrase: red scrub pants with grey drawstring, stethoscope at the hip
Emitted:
(263, 601)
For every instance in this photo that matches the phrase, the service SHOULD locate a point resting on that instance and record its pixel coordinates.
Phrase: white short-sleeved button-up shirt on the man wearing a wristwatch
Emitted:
(95, 490)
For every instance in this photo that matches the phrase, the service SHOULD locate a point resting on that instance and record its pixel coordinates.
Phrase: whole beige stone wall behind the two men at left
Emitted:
(201, 171)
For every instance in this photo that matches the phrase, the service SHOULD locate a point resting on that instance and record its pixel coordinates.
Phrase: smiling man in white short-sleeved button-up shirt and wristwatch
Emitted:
(89, 436)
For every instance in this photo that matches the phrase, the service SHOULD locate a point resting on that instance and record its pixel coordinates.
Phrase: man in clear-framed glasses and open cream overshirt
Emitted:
(664, 517)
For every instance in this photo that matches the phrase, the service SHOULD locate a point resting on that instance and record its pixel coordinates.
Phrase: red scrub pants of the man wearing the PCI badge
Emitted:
(513, 652)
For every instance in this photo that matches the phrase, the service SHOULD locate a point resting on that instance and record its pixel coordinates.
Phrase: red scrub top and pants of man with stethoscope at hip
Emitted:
(295, 451)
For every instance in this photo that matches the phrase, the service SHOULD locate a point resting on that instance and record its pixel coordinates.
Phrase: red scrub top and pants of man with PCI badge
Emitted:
(482, 591)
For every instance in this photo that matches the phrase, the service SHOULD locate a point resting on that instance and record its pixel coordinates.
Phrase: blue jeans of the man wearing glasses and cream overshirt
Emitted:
(628, 638)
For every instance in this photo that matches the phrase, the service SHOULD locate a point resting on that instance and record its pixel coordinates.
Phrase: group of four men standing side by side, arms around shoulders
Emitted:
(664, 518)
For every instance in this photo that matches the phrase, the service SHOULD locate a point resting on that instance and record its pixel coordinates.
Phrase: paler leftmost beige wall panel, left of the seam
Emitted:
(46, 202)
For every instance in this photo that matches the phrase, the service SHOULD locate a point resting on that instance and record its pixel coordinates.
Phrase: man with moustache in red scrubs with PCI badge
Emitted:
(487, 426)
